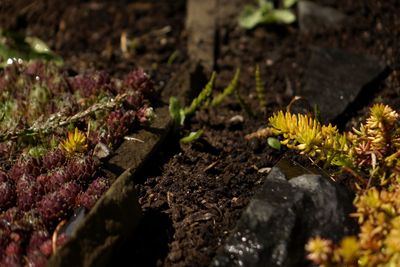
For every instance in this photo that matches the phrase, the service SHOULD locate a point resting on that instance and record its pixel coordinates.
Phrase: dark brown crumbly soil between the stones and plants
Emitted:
(193, 194)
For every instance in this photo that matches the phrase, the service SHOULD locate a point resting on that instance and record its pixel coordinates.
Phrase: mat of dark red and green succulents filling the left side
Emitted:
(50, 127)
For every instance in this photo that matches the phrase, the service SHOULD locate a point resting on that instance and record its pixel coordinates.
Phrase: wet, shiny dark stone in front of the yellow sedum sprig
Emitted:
(283, 215)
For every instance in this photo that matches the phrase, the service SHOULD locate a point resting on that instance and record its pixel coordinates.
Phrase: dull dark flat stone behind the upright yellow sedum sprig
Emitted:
(337, 80)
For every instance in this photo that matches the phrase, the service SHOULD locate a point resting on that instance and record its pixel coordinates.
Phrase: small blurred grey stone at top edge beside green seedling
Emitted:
(314, 18)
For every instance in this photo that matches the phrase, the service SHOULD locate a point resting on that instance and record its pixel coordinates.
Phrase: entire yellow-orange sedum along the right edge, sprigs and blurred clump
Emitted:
(371, 155)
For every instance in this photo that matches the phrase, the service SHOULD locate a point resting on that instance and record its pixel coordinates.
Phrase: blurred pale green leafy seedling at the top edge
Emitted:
(267, 13)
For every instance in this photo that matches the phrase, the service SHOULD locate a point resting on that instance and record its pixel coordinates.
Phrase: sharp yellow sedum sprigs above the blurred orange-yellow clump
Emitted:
(371, 152)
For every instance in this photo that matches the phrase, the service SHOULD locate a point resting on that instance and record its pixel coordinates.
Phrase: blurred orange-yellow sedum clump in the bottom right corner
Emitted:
(377, 244)
